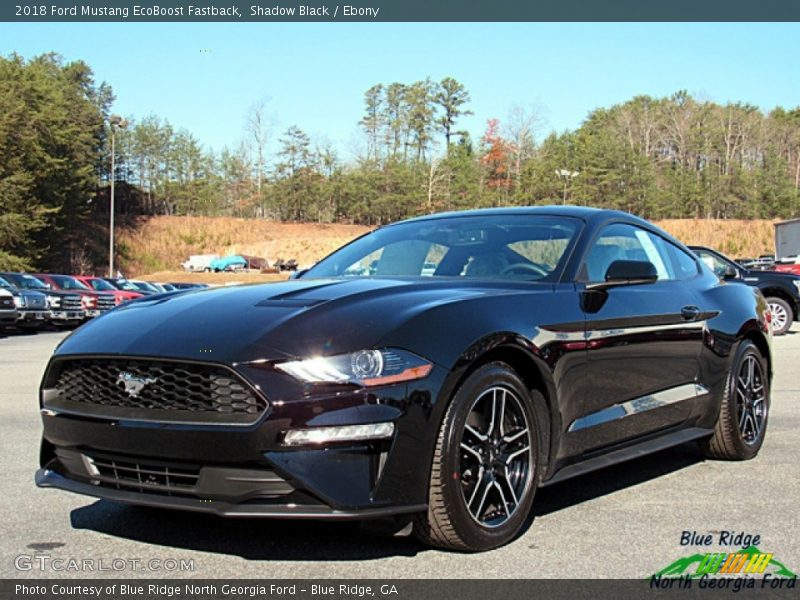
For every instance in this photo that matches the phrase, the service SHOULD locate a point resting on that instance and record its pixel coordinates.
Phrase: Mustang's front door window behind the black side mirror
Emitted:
(626, 242)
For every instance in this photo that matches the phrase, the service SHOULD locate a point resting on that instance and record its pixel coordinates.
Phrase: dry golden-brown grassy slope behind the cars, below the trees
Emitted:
(158, 245)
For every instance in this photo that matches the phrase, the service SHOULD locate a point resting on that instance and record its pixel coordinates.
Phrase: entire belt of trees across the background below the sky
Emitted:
(657, 157)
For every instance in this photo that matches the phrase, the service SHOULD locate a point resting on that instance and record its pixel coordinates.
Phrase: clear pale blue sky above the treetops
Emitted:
(204, 77)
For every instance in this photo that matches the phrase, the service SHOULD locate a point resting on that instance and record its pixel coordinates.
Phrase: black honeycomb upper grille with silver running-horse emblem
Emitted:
(155, 390)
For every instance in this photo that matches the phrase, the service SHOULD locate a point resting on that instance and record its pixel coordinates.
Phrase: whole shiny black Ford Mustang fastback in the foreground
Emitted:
(435, 371)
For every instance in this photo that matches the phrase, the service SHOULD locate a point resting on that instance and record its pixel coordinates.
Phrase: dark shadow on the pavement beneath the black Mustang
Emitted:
(262, 539)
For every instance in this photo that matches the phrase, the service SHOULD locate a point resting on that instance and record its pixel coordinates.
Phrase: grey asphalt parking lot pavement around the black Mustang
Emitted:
(625, 521)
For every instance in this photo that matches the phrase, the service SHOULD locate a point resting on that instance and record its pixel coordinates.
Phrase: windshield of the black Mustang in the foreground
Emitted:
(522, 247)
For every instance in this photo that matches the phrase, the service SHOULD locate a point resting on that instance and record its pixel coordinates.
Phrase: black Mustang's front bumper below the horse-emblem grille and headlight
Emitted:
(246, 470)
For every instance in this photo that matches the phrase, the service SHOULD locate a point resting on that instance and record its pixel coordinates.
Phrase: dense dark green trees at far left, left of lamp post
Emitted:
(51, 135)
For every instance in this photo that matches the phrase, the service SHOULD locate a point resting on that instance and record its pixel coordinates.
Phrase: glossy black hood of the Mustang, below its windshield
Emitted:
(272, 321)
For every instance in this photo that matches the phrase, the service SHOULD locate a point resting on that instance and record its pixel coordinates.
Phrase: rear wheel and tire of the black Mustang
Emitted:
(739, 436)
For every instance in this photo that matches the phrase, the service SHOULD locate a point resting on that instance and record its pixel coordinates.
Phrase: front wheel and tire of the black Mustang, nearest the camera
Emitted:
(481, 498)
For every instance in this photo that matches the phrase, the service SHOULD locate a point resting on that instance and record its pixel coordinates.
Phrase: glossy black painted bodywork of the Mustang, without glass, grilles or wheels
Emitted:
(585, 349)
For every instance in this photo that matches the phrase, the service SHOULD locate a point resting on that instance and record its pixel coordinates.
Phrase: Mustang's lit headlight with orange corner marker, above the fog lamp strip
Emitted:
(365, 367)
